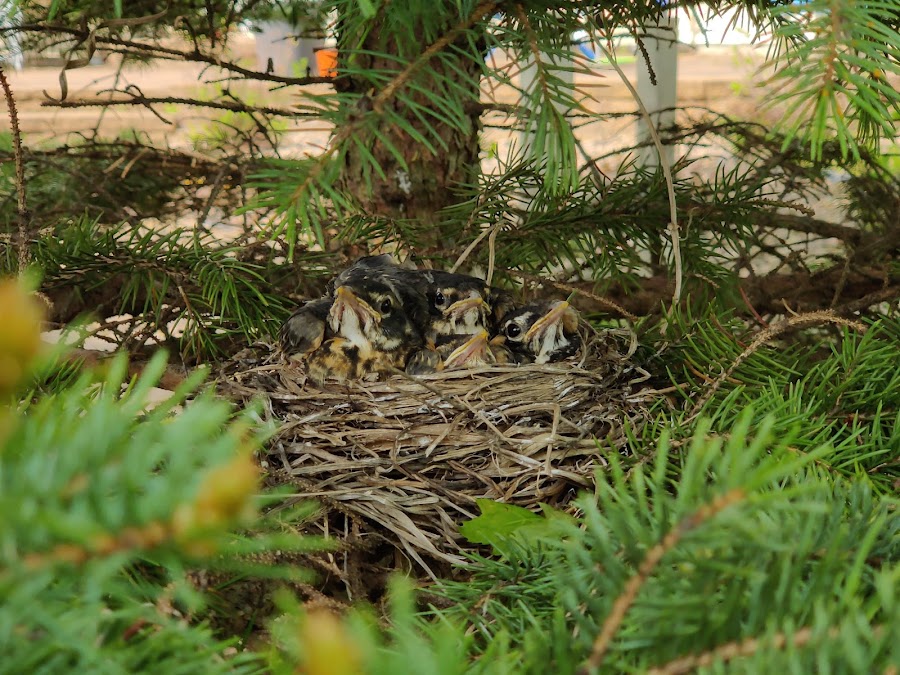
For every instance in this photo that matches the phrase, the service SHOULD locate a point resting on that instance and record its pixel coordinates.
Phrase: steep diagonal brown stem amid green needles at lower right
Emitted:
(648, 564)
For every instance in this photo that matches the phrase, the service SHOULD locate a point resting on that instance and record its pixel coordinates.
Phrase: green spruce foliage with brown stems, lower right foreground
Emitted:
(735, 550)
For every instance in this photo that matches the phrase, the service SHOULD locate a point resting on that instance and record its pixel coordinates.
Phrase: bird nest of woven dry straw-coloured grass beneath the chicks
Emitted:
(398, 464)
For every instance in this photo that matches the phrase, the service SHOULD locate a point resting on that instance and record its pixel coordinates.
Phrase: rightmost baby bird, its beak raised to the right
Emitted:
(542, 332)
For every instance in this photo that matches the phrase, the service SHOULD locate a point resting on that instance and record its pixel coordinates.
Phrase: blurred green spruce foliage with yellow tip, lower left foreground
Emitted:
(108, 501)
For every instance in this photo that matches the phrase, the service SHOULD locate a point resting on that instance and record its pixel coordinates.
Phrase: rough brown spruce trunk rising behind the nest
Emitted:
(430, 181)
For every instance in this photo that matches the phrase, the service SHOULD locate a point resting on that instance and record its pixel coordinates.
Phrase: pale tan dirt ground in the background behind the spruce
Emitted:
(724, 79)
